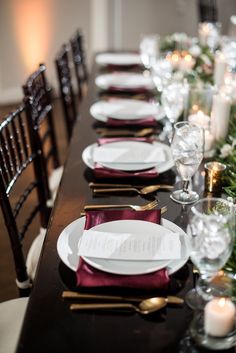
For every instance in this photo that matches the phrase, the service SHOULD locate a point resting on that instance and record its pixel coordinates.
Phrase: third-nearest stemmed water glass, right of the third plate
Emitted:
(172, 100)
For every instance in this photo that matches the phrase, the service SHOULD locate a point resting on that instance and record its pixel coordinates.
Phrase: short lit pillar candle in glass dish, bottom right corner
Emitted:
(219, 317)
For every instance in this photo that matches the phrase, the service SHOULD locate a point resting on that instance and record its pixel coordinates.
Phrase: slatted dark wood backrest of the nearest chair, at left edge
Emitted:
(22, 188)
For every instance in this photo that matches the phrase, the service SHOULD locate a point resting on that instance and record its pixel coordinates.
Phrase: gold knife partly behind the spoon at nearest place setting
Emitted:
(76, 295)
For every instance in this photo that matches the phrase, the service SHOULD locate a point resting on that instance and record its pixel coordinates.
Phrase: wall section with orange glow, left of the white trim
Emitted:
(52, 23)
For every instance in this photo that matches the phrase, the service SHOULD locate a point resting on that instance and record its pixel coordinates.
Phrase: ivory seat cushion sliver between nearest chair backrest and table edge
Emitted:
(34, 253)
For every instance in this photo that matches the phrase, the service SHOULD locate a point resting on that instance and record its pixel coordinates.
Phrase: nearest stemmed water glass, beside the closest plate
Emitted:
(211, 228)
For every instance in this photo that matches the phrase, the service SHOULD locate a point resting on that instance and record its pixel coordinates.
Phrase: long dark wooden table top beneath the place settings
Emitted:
(49, 325)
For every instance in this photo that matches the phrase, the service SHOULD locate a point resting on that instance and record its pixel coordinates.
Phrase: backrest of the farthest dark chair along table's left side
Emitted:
(79, 59)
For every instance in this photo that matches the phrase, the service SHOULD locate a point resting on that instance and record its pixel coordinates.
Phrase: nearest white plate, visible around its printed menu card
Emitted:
(67, 248)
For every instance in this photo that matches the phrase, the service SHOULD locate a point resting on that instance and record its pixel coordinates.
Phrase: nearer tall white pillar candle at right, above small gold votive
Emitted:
(220, 115)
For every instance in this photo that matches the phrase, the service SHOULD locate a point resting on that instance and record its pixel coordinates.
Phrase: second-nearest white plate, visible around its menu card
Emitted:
(161, 167)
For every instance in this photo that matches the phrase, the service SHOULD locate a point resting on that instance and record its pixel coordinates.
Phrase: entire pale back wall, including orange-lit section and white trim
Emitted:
(26, 40)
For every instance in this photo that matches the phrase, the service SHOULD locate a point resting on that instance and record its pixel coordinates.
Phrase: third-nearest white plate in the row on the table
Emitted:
(123, 109)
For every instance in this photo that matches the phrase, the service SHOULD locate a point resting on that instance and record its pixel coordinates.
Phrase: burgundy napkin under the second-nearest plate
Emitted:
(103, 172)
